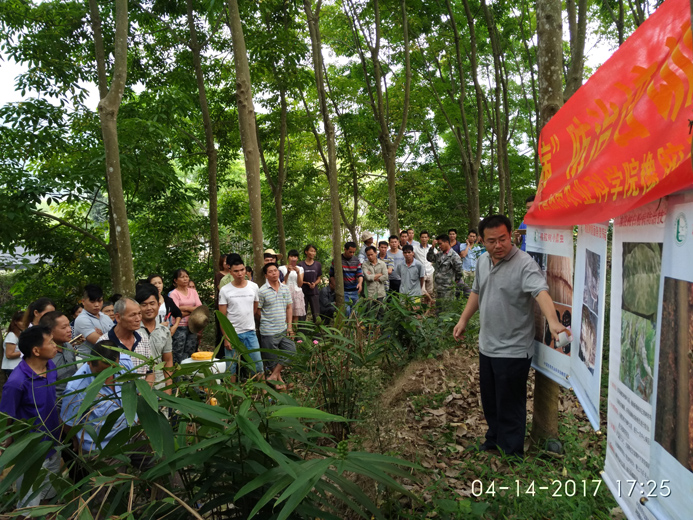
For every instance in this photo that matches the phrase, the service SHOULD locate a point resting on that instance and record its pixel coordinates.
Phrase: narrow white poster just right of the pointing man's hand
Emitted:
(588, 317)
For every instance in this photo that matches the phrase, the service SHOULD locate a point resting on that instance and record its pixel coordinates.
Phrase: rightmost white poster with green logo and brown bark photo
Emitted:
(670, 483)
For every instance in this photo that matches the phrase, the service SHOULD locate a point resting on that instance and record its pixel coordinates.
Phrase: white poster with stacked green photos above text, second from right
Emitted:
(636, 262)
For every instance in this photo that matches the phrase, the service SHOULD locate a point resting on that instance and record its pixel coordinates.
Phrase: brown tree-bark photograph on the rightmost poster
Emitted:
(673, 429)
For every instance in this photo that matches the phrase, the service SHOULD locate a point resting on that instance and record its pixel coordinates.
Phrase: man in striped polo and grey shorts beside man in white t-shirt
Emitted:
(276, 313)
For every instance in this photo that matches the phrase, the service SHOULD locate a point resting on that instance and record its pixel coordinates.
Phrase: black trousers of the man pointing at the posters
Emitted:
(503, 383)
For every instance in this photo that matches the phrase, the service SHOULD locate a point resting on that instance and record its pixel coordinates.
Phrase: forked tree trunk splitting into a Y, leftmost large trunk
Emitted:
(124, 276)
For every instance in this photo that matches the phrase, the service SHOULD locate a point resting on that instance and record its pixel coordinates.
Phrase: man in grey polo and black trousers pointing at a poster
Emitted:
(507, 281)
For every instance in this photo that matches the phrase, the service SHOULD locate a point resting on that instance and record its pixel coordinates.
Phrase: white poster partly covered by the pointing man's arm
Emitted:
(552, 248)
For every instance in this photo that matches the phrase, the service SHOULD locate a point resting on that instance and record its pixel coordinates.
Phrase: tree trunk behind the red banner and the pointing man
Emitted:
(549, 58)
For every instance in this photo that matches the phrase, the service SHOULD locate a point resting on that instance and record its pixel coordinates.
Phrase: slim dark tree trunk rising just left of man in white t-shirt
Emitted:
(210, 149)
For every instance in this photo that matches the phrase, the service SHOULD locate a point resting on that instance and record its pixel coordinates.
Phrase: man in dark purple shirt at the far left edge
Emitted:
(30, 394)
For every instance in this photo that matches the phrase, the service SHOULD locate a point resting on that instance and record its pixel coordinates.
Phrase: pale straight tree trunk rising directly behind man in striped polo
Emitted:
(246, 123)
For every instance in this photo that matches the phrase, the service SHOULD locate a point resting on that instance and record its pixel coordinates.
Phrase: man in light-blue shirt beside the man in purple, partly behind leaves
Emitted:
(108, 400)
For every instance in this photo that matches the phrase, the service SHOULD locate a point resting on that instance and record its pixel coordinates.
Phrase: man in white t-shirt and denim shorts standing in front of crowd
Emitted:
(238, 301)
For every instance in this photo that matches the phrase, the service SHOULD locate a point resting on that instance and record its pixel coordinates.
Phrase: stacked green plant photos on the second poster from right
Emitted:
(642, 266)
